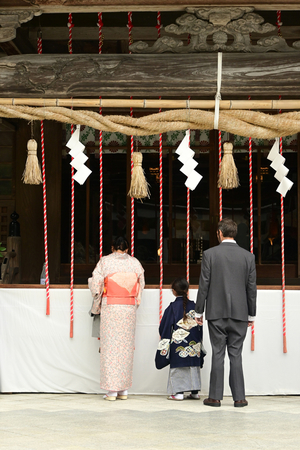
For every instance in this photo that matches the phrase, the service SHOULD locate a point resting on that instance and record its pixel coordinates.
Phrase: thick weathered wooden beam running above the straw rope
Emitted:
(195, 75)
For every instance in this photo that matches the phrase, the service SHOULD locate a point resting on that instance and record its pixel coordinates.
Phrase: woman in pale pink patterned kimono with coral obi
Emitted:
(116, 286)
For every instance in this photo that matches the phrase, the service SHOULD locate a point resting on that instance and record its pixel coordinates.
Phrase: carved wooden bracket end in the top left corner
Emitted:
(11, 20)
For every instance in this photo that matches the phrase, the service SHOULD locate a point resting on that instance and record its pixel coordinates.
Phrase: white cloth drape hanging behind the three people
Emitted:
(37, 354)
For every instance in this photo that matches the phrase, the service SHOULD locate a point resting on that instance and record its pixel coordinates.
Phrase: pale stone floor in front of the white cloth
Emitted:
(82, 421)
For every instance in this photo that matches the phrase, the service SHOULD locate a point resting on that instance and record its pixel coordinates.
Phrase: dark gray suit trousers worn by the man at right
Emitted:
(228, 333)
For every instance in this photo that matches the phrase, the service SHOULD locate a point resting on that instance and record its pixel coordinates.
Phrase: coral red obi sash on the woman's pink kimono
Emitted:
(121, 288)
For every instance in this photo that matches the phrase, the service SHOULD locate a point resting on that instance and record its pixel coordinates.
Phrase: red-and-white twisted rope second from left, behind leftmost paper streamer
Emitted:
(70, 25)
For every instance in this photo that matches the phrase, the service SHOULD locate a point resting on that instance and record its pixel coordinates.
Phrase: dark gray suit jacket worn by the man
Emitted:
(227, 283)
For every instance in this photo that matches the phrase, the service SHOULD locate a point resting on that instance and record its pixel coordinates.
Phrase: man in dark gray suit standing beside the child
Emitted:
(227, 289)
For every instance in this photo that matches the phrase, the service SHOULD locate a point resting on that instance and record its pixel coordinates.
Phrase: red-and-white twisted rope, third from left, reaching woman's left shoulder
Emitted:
(100, 25)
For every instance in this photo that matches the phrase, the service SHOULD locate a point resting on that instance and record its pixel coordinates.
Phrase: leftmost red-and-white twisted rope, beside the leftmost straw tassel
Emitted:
(40, 50)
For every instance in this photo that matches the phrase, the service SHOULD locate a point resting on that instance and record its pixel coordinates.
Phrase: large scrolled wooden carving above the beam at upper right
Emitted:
(217, 29)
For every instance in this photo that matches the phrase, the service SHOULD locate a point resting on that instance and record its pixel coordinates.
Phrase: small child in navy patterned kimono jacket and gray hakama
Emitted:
(181, 344)
